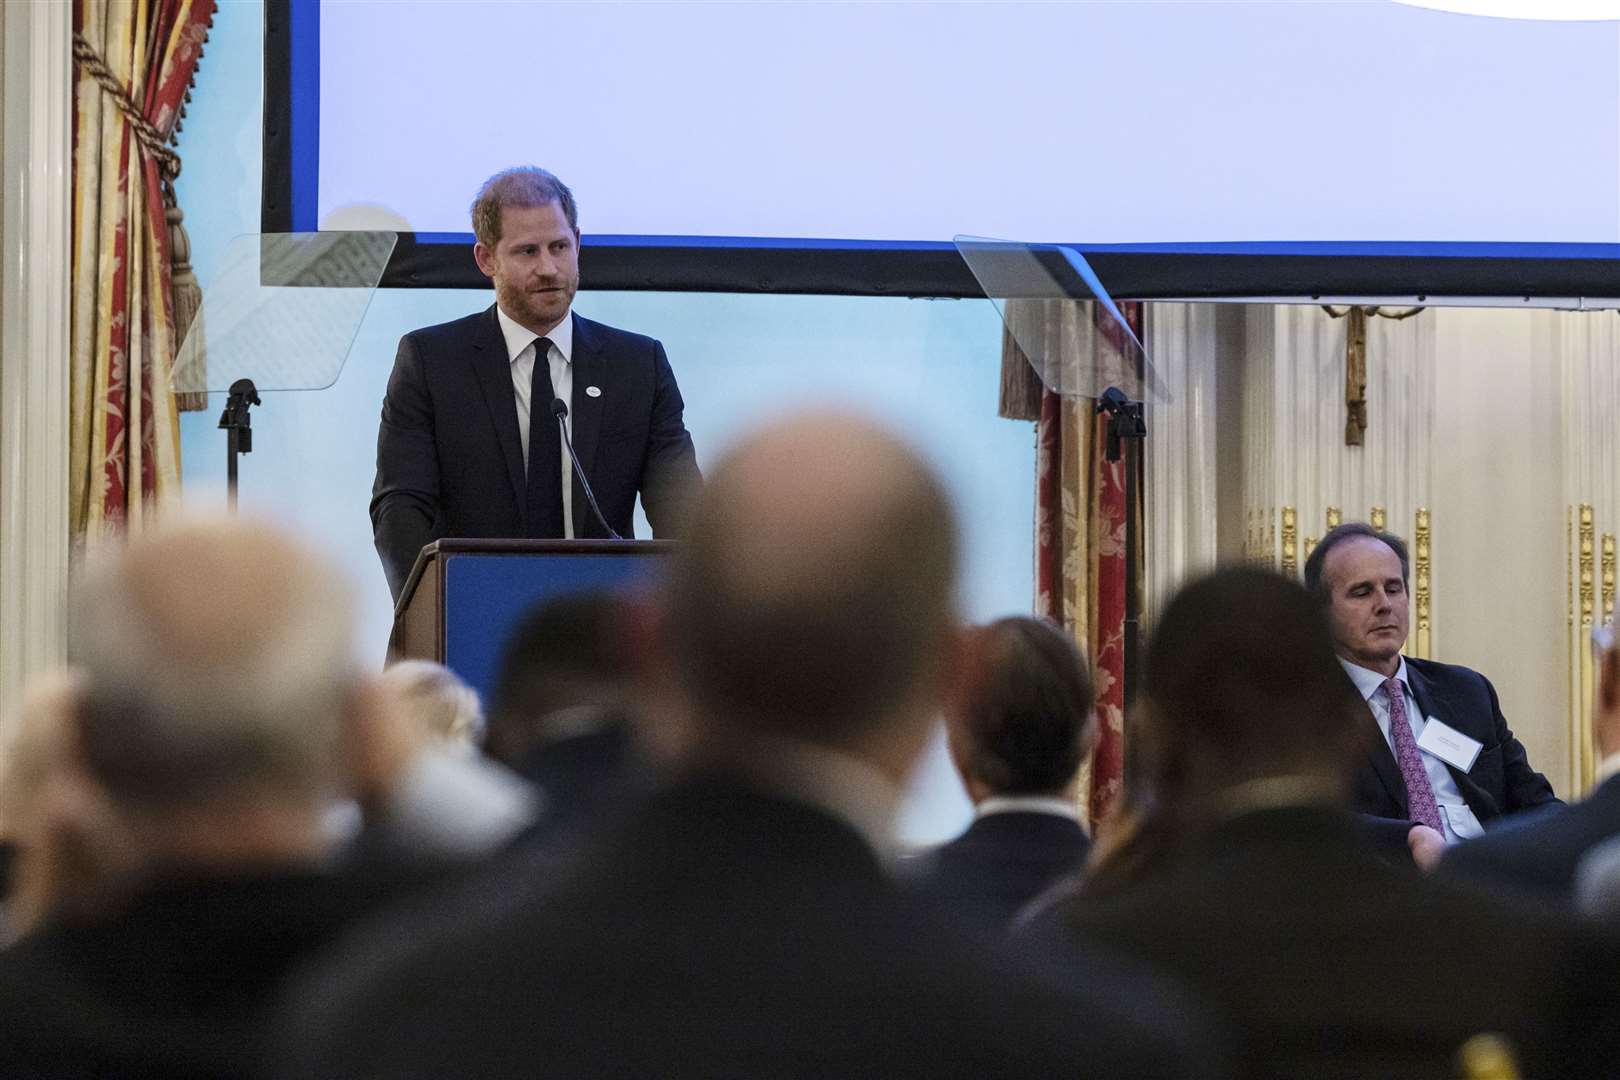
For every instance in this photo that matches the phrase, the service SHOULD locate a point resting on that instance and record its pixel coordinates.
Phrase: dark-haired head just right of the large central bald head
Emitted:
(1026, 725)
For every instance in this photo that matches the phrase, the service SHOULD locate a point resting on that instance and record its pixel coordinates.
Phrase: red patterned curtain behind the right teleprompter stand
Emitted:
(1080, 522)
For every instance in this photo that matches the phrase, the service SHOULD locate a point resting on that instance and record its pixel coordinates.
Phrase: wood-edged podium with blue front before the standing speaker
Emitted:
(464, 598)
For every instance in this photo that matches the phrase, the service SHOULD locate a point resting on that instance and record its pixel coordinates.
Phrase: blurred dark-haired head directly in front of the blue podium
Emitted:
(568, 653)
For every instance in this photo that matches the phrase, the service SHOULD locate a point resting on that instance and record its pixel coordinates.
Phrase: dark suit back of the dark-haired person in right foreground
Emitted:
(1334, 964)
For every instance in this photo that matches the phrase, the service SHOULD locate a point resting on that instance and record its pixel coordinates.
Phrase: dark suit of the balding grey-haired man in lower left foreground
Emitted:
(177, 984)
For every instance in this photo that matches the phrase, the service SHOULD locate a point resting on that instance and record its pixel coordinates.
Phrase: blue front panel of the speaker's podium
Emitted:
(487, 595)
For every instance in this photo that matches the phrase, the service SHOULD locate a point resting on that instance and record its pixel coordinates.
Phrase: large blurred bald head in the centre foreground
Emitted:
(814, 595)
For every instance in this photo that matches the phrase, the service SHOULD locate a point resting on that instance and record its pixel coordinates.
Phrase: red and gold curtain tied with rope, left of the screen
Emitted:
(135, 61)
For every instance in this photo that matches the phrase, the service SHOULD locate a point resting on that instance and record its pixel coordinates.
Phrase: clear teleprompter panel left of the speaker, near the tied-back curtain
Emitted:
(283, 310)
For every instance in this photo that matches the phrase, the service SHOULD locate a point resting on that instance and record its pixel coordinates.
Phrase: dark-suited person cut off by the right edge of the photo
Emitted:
(1540, 853)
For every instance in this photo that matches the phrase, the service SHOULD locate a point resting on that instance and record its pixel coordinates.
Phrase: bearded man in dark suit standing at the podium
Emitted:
(471, 443)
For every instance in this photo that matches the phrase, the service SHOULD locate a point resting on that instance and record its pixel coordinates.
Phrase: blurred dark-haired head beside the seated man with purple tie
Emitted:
(1240, 682)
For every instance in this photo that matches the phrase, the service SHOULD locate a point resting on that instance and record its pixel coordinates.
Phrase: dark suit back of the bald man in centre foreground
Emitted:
(718, 933)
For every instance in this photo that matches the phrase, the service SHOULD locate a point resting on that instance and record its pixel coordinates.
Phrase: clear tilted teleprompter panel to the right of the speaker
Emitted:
(1076, 349)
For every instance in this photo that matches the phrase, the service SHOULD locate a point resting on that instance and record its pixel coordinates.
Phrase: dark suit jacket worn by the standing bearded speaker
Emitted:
(451, 461)
